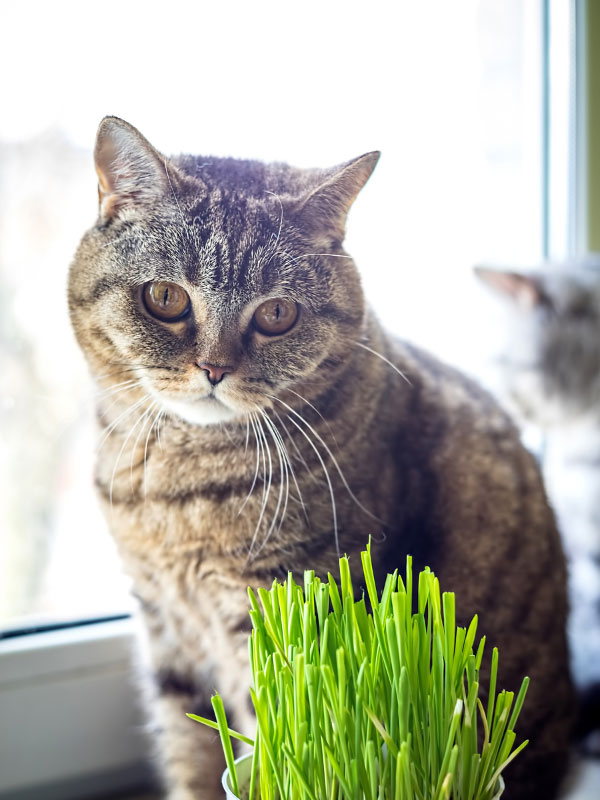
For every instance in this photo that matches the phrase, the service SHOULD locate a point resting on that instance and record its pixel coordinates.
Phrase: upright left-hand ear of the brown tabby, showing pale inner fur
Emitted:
(130, 171)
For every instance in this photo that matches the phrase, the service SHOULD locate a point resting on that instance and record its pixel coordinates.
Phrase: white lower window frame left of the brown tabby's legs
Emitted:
(70, 725)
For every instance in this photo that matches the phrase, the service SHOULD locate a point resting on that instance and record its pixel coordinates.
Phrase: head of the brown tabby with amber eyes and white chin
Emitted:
(215, 282)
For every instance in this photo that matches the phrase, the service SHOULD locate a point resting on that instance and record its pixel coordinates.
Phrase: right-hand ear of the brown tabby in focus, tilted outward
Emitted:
(325, 208)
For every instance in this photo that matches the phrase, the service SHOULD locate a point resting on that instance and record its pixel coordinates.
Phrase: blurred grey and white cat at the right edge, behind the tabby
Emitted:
(550, 368)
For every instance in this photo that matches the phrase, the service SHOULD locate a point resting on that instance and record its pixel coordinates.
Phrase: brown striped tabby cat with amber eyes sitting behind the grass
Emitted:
(257, 419)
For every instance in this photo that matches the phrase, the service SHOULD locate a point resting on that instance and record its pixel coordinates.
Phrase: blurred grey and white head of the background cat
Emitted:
(551, 357)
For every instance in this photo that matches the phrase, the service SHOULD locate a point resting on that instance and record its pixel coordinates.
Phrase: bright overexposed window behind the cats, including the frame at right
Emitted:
(484, 111)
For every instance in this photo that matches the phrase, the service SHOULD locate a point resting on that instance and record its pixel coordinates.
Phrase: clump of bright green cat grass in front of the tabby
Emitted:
(383, 703)
